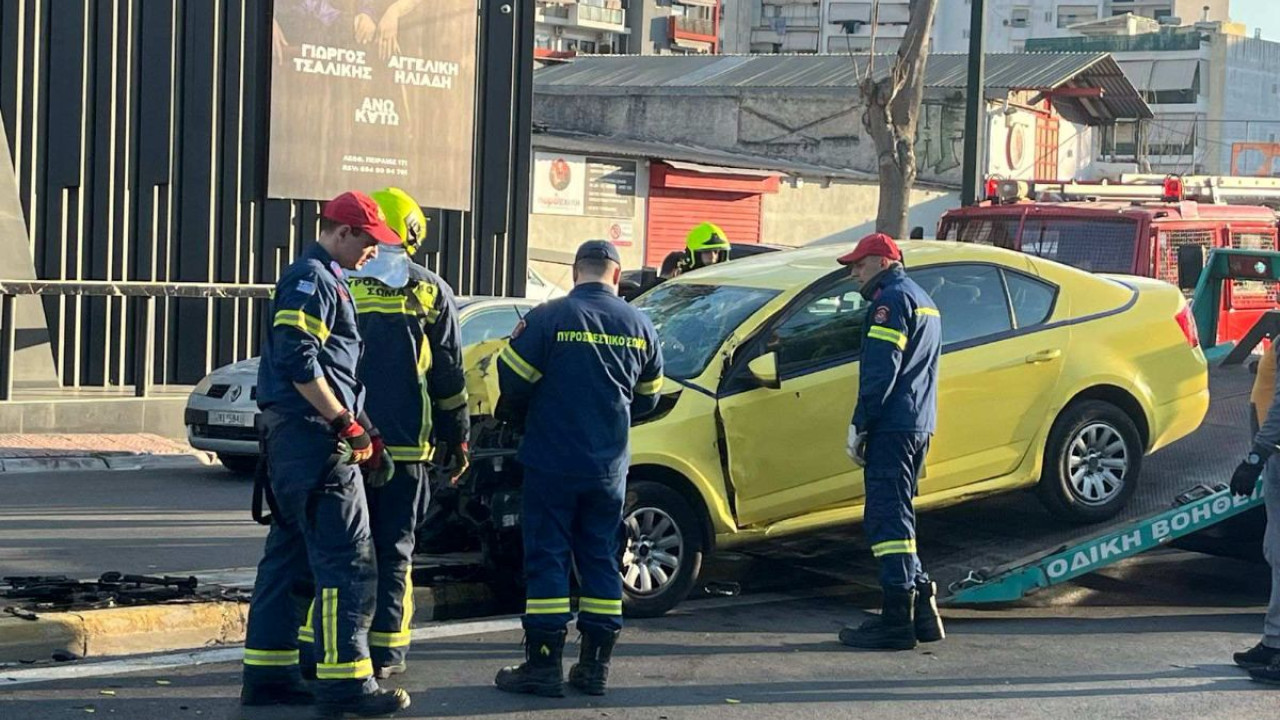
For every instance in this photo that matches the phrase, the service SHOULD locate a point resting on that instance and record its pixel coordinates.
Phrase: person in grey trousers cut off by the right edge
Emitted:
(1263, 660)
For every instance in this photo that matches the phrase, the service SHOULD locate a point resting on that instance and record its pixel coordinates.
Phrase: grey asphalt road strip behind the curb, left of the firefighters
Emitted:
(85, 523)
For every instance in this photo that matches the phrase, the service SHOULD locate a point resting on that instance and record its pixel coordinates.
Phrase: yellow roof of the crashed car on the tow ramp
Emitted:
(797, 268)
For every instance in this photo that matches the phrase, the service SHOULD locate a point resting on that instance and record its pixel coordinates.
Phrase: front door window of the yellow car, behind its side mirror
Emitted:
(825, 330)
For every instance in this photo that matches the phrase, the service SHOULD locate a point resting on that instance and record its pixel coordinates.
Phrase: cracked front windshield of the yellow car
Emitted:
(693, 321)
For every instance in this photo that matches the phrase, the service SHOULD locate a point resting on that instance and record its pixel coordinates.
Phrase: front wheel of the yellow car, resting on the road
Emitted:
(664, 550)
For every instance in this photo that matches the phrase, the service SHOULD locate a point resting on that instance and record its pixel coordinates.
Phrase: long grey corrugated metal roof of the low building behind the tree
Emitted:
(1021, 71)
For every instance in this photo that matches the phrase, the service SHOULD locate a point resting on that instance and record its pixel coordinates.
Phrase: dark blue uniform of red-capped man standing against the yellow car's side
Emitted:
(898, 402)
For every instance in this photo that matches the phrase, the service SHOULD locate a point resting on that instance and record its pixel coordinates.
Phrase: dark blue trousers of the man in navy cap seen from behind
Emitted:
(572, 520)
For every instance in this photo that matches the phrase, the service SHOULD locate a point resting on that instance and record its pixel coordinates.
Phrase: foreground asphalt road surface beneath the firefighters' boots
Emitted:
(751, 660)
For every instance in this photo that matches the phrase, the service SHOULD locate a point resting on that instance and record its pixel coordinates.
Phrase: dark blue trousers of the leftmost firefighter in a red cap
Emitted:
(321, 534)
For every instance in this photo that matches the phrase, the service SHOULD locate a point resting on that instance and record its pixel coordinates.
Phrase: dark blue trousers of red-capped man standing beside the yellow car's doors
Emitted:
(894, 463)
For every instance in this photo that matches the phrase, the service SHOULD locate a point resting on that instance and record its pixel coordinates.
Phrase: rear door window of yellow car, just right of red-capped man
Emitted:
(971, 299)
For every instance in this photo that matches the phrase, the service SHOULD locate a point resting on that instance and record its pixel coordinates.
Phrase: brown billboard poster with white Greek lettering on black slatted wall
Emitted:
(373, 93)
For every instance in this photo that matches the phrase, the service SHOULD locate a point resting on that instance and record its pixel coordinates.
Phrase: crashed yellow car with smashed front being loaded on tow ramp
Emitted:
(1052, 379)
